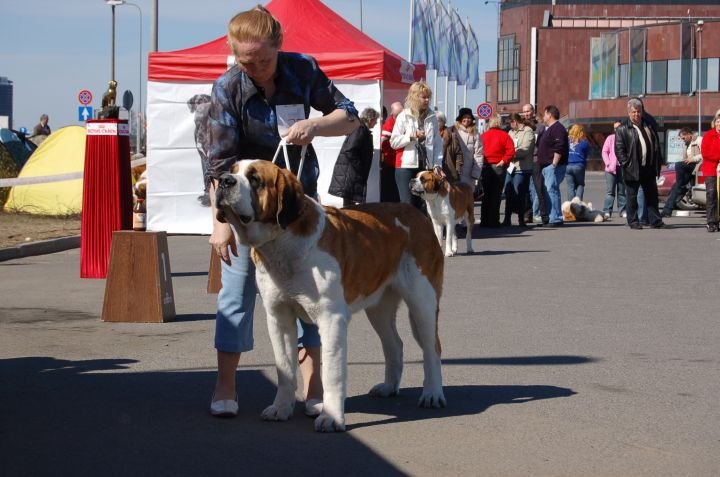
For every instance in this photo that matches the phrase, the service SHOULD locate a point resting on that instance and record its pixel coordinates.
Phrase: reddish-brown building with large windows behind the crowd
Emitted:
(588, 57)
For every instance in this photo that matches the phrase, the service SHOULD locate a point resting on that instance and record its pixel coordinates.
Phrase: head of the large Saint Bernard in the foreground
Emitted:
(259, 200)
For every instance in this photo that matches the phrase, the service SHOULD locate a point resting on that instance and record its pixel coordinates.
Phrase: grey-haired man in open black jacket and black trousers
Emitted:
(637, 147)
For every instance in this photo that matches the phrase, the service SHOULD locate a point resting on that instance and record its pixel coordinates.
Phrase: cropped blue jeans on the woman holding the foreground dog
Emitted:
(236, 307)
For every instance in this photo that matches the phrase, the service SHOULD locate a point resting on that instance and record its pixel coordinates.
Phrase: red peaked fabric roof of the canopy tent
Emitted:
(309, 27)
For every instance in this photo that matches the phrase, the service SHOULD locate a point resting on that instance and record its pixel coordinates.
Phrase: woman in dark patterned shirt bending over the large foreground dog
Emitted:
(265, 89)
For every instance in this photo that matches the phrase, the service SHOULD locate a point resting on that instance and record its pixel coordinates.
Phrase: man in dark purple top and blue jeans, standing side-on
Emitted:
(553, 150)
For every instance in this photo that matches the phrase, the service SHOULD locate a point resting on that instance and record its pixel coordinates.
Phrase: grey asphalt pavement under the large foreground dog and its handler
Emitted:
(587, 350)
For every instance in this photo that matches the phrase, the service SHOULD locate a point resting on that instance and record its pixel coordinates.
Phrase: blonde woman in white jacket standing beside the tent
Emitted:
(416, 126)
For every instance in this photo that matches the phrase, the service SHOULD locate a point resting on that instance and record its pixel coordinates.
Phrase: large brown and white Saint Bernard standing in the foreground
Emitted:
(322, 264)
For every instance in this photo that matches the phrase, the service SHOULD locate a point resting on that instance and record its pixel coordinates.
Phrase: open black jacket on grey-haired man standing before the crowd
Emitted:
(628, 152)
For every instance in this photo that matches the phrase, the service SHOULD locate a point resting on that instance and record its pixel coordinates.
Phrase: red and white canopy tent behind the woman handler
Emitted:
(365, 71)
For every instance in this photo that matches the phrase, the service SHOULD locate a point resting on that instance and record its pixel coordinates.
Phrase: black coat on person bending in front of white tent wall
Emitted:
(352, 168)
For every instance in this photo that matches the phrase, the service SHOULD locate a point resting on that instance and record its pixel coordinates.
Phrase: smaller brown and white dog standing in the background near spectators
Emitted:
(448, 204)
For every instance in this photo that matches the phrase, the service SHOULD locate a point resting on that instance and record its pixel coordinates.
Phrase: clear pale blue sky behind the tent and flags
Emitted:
(53, 49)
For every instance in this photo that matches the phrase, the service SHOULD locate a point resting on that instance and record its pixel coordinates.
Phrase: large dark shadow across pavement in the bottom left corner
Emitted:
(61, 417)
